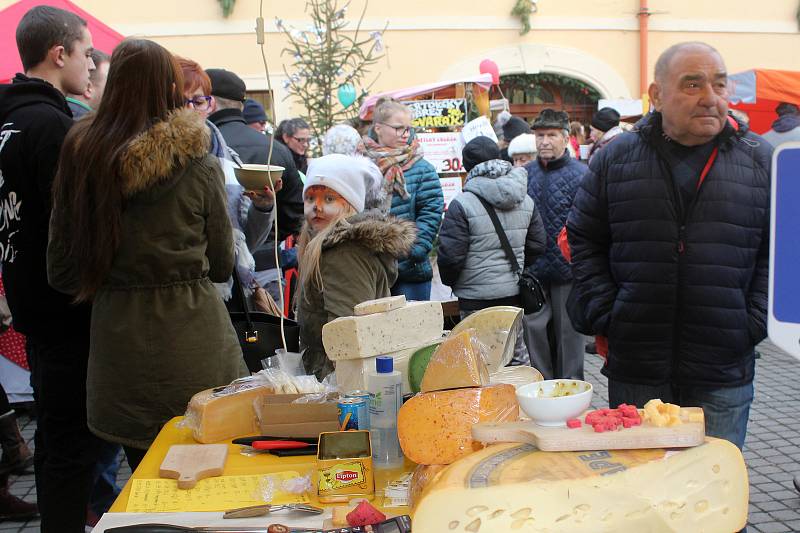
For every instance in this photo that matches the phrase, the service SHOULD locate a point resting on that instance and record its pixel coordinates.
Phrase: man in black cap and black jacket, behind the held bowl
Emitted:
(228, 91)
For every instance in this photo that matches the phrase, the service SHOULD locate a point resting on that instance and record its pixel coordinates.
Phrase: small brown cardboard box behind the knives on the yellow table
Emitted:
(279, 417)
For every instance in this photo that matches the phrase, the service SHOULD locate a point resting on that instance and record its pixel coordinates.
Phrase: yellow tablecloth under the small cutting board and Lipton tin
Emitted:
(238, 464)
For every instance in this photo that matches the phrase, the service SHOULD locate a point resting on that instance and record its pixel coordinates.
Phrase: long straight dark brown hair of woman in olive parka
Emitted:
(144, 85)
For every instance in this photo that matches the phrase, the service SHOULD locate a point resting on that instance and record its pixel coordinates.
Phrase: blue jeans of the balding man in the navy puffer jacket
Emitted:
(726, 409)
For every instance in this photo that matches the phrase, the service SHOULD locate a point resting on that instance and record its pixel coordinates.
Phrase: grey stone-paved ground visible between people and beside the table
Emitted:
(772, 449)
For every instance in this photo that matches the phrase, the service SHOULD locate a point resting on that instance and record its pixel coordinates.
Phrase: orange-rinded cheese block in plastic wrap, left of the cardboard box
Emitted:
(214, 417)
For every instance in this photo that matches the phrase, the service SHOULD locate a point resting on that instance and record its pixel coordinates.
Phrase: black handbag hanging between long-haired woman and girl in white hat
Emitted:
(259, 333)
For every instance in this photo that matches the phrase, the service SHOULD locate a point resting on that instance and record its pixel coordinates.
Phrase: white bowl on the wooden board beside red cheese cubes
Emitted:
(554, 401)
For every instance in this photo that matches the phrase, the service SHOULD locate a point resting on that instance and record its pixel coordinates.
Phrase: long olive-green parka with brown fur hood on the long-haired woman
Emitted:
(159, 331)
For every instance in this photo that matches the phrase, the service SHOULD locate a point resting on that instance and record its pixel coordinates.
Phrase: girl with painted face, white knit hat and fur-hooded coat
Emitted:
(346, 256)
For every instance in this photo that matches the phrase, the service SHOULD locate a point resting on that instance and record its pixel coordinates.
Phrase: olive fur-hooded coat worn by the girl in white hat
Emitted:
(358, 263)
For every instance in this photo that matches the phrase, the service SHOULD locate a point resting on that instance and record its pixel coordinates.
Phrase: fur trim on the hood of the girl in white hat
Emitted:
(388, 235)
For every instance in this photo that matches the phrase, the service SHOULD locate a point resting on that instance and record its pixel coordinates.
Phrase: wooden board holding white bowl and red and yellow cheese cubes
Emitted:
(564, 439)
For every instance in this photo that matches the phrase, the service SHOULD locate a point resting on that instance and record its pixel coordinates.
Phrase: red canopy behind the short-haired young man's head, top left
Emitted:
(103, 37)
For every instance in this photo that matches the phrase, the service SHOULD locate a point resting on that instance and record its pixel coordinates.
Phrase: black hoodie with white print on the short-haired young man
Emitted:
(34, 119)
